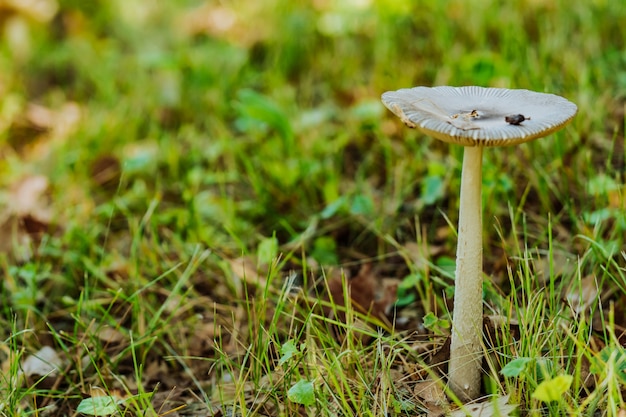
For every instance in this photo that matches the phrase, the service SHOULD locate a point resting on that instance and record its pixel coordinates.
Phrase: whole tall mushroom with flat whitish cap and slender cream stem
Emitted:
(475, 117)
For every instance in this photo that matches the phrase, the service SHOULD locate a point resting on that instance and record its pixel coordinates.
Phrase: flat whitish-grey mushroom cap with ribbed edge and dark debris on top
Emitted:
(475, 116)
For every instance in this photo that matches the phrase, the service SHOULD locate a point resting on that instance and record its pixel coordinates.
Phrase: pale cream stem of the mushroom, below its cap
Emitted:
(465, 351)
